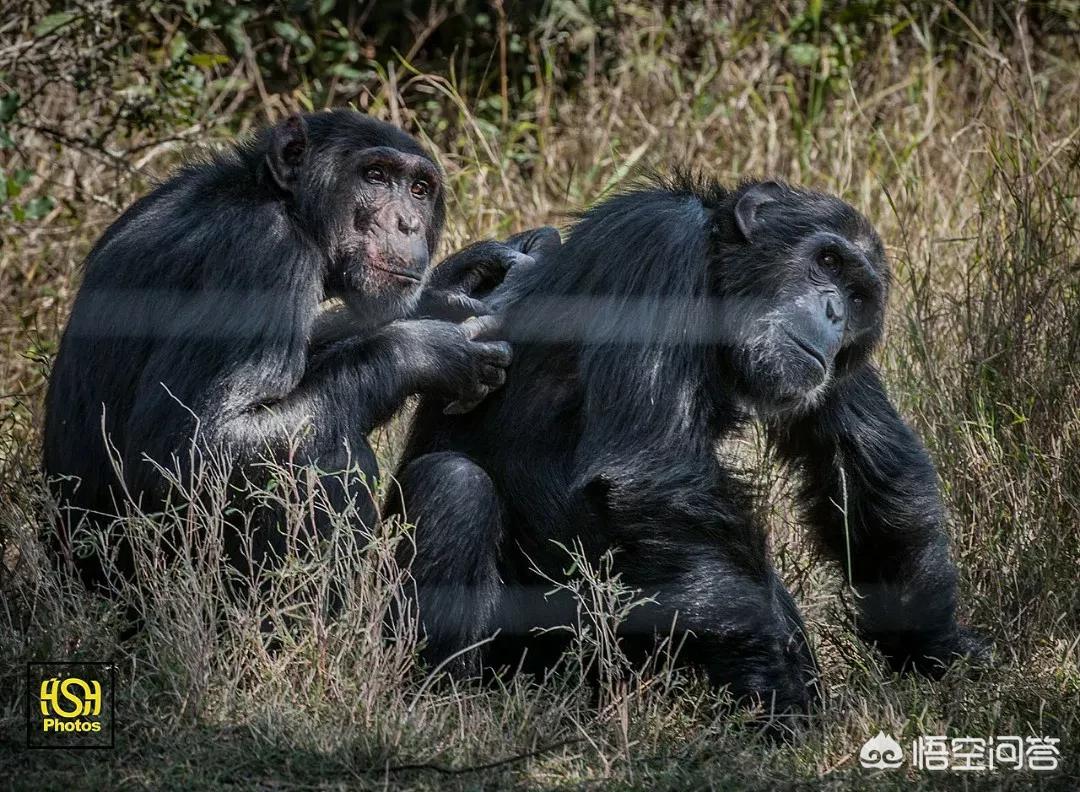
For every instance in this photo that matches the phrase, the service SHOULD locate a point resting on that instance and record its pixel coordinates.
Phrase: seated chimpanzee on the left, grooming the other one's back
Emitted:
(199, 319)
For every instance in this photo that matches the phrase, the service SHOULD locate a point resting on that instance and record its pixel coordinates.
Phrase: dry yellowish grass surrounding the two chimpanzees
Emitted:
(969, 164)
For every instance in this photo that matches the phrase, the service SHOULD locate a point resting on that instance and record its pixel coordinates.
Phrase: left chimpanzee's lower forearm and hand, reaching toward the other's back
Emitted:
(345, 386)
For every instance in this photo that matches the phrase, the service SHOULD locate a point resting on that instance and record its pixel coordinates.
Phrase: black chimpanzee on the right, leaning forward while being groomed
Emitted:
(671, 317)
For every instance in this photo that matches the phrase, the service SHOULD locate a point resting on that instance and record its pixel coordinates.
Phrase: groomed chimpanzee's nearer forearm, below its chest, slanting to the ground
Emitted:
(705, 566)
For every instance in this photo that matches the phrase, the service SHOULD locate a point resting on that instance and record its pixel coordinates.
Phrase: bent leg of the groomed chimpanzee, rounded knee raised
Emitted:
(455, 555)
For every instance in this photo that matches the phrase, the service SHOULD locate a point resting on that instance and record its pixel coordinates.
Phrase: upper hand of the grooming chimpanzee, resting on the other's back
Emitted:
(455, 287)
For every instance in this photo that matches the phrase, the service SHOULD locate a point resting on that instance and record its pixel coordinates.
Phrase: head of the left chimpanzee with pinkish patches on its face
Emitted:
(370, 196)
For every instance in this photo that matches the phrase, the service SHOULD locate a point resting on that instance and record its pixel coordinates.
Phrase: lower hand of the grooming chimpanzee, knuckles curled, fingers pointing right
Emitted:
(460, 361)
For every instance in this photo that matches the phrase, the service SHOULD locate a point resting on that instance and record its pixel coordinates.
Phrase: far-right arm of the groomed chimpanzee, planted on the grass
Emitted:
(871, 492)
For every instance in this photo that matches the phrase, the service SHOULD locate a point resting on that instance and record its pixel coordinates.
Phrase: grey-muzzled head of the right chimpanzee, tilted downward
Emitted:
(804, 293)
